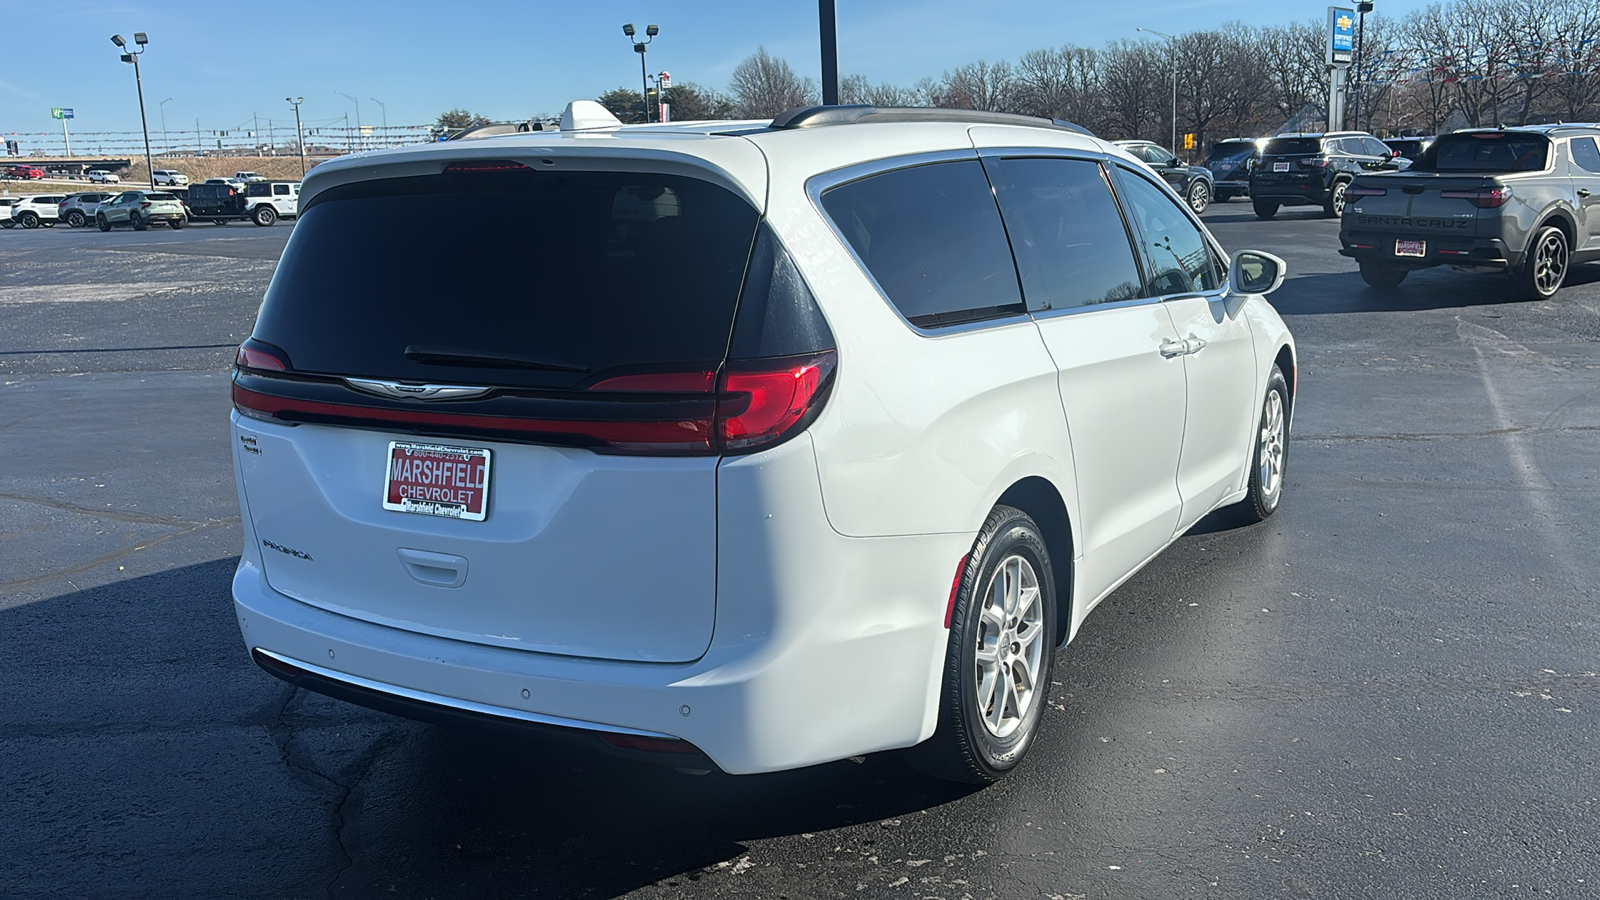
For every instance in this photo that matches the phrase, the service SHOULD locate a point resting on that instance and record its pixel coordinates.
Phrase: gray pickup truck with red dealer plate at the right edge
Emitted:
(1522, 203)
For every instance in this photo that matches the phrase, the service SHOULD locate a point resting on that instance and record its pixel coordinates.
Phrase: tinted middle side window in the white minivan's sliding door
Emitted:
(1066, 231)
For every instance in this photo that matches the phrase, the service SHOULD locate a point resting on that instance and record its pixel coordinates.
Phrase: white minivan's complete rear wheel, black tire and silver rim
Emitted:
(999, 656)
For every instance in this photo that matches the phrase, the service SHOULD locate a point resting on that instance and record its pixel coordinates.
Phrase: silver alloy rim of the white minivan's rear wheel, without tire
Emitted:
(1010, 646)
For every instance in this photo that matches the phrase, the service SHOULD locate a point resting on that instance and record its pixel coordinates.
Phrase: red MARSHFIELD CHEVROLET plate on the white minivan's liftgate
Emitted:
(433, 480)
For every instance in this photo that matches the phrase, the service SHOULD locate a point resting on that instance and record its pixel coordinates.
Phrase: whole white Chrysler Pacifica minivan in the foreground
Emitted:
(751, 446)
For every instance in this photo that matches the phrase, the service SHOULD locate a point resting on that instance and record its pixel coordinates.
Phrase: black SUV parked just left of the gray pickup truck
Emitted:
(1313, 171)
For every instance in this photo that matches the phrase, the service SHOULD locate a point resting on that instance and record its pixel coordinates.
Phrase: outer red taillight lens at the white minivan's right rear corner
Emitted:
(761, 401)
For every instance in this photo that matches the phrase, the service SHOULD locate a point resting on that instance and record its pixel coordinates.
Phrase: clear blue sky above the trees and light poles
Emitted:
(226, 62)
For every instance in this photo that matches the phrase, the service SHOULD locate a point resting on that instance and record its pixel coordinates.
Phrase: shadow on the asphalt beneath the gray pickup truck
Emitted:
(1423, 291)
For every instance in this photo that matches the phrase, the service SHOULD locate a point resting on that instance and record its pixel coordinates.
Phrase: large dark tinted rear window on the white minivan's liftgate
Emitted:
(575, 275)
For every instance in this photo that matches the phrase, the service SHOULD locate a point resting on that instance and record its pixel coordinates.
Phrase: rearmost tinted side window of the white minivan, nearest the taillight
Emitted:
(934, 241)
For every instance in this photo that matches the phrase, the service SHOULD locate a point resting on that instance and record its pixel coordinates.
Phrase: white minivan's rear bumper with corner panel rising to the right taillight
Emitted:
(825, 646)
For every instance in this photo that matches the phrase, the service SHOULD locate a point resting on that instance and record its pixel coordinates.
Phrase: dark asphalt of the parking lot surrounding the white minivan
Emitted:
(1390, 689)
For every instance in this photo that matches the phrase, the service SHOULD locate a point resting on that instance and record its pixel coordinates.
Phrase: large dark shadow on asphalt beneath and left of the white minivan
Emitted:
(143, 747)
